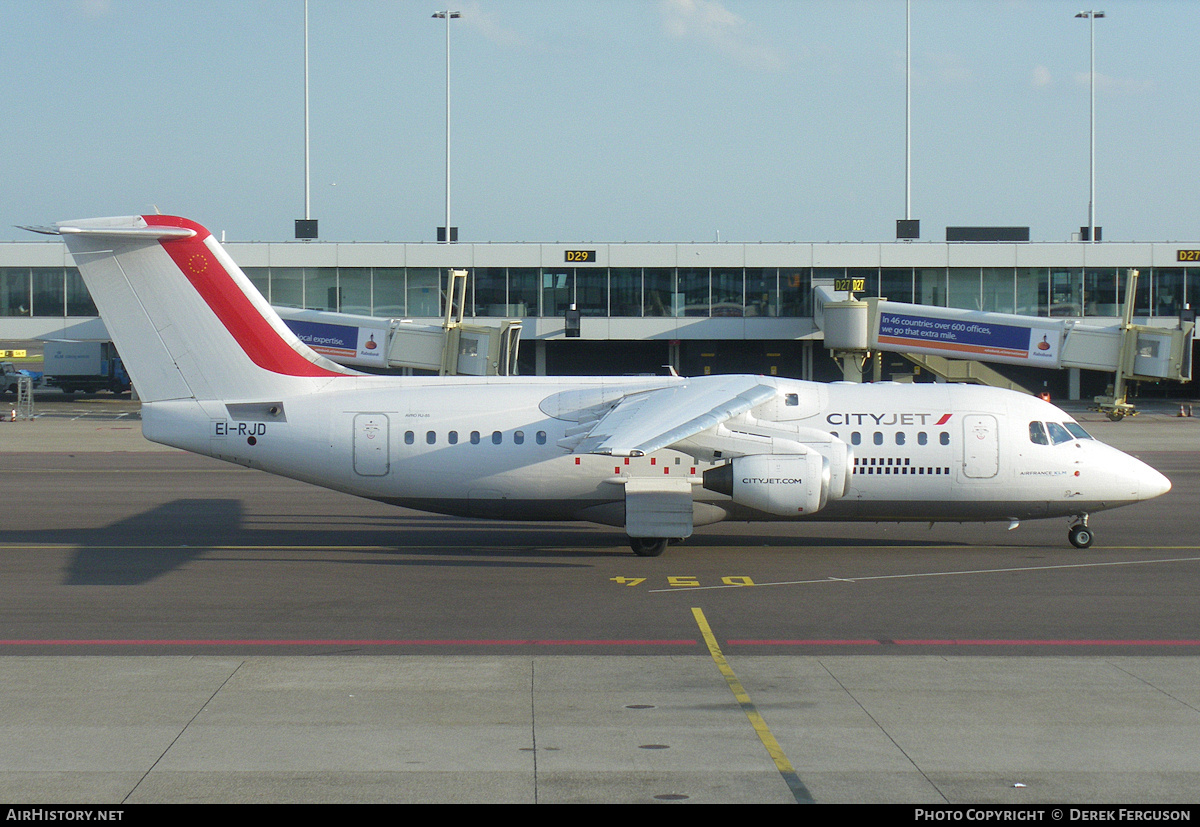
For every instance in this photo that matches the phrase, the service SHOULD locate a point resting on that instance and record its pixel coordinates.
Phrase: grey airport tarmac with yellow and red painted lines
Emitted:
(179, 631)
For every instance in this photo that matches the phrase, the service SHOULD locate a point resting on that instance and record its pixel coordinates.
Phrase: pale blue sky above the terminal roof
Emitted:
(603, 121)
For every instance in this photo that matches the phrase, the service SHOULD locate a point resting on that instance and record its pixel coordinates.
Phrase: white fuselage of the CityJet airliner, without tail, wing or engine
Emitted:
(943, 453)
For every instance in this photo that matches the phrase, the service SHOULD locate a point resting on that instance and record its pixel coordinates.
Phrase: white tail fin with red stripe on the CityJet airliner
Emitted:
(185, 319)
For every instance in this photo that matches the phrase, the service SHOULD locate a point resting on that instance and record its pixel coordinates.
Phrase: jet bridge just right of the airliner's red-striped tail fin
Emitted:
(452, 349)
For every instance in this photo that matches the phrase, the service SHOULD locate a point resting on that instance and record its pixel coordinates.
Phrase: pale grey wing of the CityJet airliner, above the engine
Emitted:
(646, 422)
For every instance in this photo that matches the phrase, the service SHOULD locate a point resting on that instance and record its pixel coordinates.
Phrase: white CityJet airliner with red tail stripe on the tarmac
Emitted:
(220, 374)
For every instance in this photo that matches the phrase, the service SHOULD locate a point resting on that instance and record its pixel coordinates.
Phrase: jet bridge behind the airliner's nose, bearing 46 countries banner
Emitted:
(854, 329)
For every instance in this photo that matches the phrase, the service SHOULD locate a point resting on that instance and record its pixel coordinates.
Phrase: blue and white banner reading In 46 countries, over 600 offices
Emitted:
(963, 334)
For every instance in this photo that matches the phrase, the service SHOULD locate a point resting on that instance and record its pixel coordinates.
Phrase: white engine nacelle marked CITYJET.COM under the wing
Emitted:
(788, 486)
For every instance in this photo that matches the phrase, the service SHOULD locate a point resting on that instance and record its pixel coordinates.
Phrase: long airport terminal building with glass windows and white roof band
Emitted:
(700, 308)
